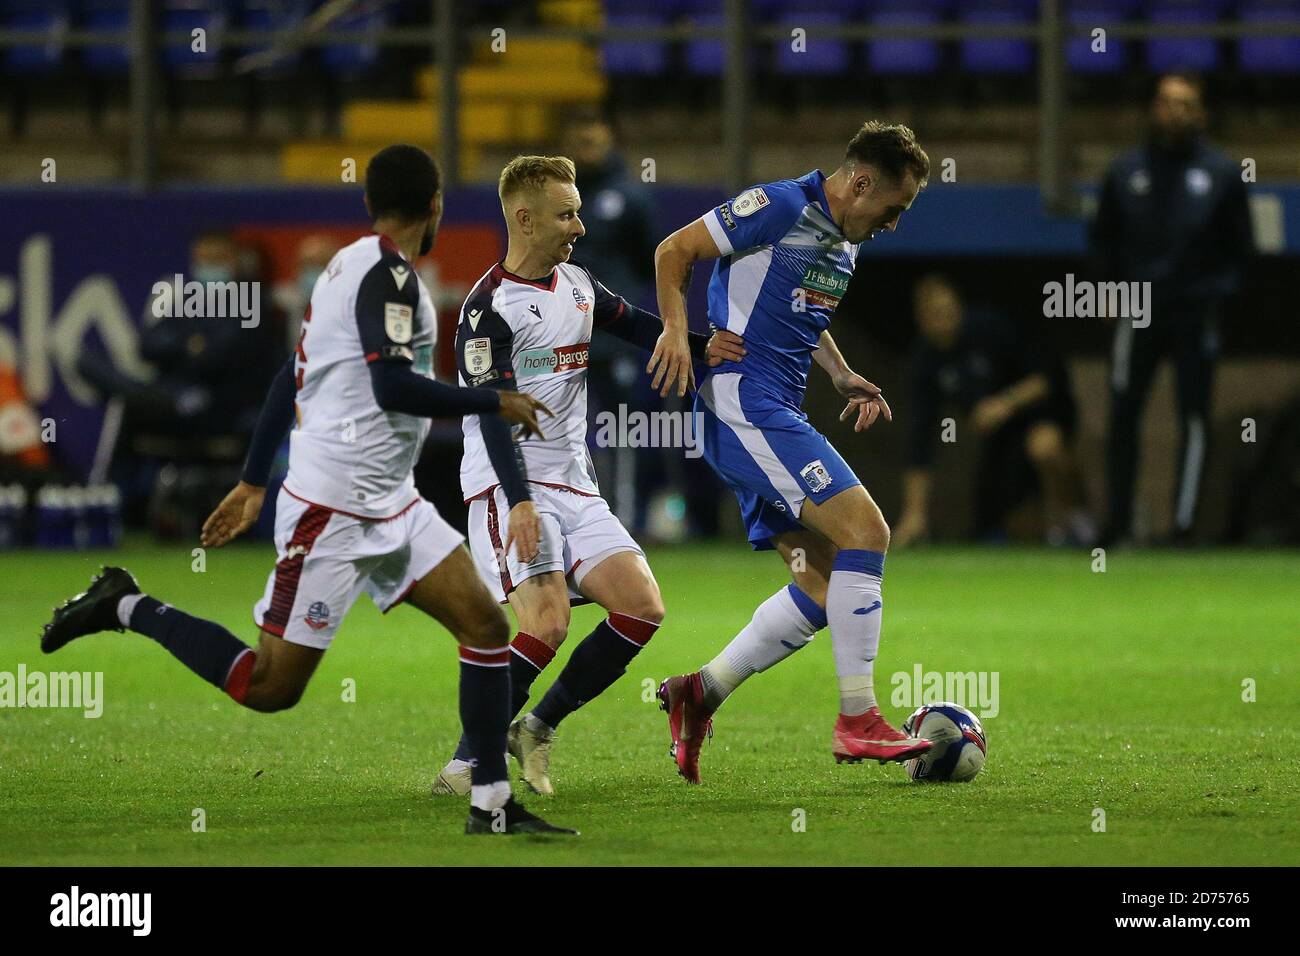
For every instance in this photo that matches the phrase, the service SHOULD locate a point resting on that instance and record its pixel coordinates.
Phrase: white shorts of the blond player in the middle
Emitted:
(579, 533)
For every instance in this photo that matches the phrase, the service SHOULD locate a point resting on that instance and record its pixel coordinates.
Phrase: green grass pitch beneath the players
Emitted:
(1121, 691)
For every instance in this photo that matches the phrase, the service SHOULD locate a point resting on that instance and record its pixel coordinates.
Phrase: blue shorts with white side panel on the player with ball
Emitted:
(768, 453)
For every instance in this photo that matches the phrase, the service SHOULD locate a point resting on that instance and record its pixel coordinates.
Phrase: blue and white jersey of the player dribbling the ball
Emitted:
(785, 269)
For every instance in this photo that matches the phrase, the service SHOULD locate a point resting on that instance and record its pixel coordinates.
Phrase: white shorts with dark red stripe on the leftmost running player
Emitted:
(328, 559)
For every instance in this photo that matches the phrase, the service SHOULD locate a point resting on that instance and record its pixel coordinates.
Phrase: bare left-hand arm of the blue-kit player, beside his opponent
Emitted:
(674, 263)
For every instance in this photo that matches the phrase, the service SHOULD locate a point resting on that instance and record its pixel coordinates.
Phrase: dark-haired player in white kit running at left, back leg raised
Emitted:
(361, 395)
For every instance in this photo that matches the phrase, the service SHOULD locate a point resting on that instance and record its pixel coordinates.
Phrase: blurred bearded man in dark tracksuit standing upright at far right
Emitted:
(1173, 214)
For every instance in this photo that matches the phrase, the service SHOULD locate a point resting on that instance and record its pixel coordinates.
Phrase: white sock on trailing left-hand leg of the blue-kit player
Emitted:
(781, 626)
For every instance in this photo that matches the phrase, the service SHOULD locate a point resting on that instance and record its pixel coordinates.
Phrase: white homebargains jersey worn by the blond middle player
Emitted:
(538, 336)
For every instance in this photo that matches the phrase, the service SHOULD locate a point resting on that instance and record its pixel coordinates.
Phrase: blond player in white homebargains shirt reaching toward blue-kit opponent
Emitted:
(527, 326)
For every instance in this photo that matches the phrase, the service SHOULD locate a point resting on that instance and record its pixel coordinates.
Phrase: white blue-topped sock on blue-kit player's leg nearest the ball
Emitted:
(855, 608)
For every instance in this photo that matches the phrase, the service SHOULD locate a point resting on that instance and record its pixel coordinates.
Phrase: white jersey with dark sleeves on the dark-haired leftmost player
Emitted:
(345, 452)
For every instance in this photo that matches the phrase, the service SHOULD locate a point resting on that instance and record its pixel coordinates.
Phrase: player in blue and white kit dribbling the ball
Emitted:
(786, 253)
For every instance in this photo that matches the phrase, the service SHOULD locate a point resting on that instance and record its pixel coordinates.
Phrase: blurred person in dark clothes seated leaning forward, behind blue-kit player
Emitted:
(1017, 396)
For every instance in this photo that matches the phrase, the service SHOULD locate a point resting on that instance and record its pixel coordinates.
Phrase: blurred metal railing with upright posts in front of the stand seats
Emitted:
(738, 32)
